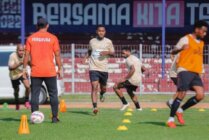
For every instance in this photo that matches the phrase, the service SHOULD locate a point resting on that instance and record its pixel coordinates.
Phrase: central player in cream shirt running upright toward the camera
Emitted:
(100, 49)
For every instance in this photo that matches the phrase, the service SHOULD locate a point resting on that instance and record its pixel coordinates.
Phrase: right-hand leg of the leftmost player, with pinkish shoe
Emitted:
(26, 83)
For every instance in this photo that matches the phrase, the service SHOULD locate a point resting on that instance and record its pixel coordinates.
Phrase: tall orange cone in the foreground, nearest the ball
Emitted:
(24, 129)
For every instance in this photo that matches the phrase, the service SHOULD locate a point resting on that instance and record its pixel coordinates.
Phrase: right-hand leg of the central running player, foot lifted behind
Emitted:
(103, 85)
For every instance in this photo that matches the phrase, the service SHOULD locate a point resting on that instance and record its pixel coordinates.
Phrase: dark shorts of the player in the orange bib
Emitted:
(187, 79)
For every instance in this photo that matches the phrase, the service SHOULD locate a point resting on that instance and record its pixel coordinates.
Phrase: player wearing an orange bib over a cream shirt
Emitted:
(189, 68)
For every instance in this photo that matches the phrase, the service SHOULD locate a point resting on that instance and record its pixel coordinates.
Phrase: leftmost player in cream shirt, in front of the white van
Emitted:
(16, 75)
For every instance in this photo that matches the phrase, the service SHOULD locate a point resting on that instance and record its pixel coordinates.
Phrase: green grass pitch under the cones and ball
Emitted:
(80, 124)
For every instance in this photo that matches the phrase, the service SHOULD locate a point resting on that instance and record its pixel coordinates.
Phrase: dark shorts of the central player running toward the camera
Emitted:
(102, 77)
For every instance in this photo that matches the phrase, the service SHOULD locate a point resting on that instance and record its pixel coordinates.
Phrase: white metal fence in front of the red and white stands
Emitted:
(76, 74)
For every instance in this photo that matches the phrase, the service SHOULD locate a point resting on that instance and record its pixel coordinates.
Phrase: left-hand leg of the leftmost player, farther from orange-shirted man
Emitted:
(15, 85)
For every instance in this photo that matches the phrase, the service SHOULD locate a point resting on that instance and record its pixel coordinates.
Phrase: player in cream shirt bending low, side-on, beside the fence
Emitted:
(131, 81)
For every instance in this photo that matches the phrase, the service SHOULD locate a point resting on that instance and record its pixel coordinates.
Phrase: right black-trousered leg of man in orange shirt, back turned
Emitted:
(51, 83)
